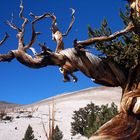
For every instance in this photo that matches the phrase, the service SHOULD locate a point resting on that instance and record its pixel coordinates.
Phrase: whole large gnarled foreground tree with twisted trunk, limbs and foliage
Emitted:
(120, 65)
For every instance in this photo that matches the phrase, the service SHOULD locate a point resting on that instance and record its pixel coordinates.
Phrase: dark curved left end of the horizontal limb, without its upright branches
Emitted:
(39, 61)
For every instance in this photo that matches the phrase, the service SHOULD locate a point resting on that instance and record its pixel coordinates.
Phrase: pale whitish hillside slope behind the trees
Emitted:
(36, 114)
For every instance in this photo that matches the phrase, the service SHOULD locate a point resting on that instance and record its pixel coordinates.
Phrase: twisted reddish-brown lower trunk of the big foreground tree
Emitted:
(126, 125)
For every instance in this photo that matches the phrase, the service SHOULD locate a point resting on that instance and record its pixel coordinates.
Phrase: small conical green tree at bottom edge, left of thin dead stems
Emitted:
(29, 134)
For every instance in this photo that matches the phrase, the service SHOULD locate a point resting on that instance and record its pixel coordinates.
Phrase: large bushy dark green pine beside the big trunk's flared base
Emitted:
(88, 119)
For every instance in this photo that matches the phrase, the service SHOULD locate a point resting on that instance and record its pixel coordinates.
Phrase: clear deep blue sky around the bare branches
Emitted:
(20, 84)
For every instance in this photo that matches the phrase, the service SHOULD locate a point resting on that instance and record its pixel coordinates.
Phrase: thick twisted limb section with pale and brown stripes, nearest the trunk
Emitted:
(98, 70)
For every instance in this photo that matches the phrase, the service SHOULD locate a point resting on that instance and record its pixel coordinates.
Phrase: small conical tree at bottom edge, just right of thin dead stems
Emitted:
(58, 135)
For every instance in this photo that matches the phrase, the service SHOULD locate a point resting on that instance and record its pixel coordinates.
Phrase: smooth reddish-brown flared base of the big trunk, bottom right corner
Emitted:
(121, 127)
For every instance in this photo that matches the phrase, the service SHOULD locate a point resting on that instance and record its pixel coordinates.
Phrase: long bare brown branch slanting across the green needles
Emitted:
(91, 41)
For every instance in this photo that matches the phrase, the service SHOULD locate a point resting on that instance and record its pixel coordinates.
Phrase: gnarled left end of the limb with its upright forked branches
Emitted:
(42, 59)
